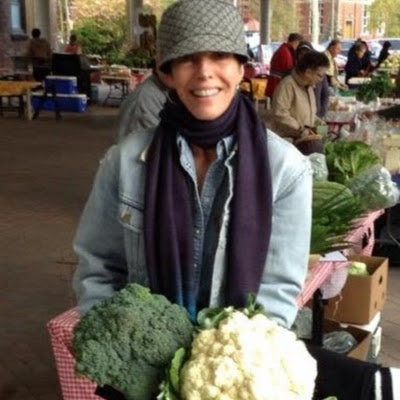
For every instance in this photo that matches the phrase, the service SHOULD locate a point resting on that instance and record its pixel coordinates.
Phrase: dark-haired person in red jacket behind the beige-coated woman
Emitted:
(282, 62)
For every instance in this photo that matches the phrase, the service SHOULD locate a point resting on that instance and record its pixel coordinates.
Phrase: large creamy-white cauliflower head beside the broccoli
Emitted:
(248, 358)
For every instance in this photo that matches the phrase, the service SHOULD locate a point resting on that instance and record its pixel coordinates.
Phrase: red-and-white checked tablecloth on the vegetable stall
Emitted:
(61, 327)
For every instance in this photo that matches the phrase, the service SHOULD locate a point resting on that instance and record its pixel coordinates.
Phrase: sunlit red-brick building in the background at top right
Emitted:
(347, 18)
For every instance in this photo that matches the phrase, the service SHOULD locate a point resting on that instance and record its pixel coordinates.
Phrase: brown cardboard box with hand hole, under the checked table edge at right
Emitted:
(362, 296)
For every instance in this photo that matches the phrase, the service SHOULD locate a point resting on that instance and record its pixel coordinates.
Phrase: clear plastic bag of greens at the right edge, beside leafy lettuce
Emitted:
(375, 188)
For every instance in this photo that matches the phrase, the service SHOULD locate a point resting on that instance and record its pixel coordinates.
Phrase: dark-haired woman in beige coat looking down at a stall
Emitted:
(294, 110)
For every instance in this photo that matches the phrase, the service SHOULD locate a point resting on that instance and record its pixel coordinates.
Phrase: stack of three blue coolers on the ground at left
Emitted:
(65, 89)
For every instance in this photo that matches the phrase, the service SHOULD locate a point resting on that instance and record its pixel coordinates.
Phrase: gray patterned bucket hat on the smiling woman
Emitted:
(191, 26)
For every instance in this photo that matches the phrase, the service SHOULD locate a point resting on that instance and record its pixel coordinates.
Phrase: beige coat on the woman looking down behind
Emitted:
(293, 107)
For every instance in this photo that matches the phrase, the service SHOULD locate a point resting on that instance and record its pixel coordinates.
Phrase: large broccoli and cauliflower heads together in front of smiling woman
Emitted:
(142, 345)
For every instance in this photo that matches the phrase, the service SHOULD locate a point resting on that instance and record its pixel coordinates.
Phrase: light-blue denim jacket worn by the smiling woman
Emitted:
(110, 238)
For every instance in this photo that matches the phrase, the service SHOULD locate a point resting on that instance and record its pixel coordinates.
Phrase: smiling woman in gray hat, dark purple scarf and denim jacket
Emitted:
(209, 206)
